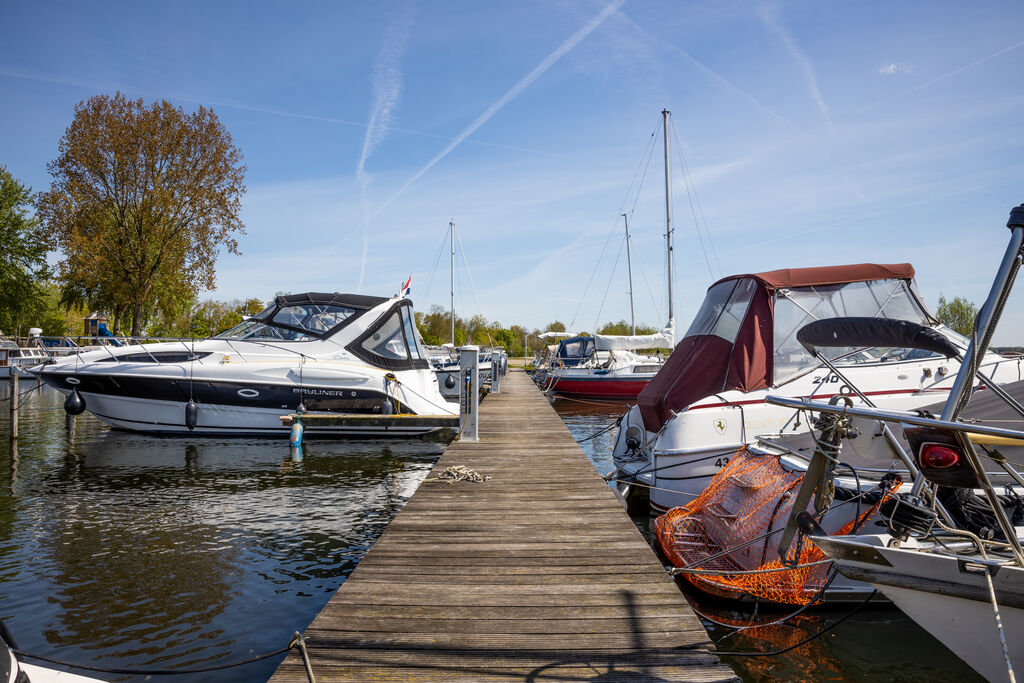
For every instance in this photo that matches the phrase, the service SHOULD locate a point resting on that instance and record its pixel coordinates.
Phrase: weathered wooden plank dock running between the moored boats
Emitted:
(535, 575)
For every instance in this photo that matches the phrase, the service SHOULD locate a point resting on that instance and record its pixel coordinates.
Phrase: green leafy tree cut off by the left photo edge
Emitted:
(23, 258)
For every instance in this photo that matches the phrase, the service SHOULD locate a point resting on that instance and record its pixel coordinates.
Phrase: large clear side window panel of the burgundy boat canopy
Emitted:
(797, 307)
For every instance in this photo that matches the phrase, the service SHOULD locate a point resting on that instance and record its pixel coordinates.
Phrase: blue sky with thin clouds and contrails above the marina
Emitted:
(814, 133)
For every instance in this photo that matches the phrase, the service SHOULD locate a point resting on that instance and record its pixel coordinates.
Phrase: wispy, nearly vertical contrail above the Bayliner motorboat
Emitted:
(388, 87)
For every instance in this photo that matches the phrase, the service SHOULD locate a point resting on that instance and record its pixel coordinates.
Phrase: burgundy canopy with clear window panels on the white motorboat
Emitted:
(745, 334)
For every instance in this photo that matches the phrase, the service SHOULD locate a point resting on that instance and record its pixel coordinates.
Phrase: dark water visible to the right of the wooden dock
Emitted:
(879, 644)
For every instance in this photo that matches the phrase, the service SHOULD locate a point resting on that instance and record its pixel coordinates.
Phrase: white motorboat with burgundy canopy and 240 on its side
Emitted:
(709, 400)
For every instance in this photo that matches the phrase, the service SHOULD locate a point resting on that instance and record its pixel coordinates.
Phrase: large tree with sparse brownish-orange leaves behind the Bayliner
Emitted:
(143, 201)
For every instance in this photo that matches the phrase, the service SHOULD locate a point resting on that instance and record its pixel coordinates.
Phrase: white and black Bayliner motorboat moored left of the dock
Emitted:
(346, 354)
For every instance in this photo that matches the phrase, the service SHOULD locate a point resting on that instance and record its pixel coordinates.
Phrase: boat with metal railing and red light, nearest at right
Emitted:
(959, 574)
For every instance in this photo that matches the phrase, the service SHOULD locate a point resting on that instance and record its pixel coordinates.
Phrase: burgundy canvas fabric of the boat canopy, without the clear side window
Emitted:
(704, 365)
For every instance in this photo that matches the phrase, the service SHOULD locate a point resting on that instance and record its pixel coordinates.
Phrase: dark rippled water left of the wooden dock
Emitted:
(132, 551)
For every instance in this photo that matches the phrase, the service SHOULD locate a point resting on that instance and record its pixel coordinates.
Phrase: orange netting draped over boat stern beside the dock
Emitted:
(718, 534)
